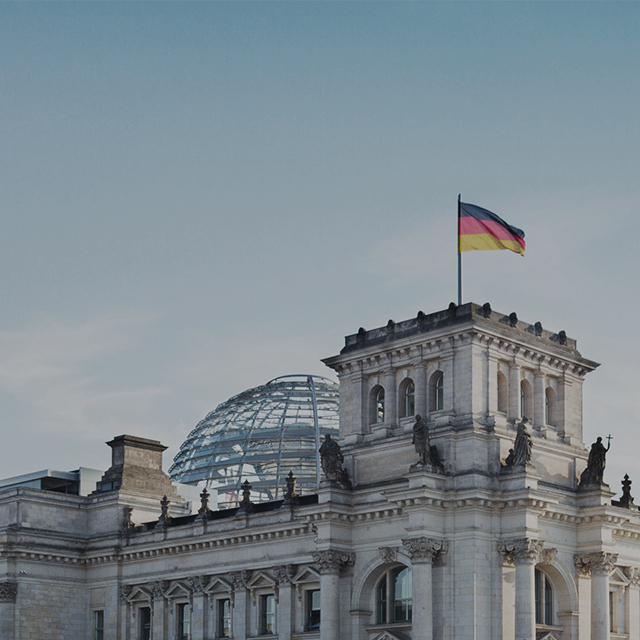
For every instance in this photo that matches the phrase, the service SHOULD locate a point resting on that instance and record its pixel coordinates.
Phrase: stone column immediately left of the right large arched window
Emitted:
(524, 552)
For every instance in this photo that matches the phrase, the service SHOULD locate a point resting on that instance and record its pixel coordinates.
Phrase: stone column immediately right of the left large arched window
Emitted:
(423, 551)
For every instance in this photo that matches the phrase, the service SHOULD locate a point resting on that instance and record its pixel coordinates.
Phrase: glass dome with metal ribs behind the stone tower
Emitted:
(260, 435)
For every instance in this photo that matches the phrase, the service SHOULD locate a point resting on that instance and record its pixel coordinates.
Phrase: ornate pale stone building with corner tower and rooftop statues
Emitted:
(462, 504)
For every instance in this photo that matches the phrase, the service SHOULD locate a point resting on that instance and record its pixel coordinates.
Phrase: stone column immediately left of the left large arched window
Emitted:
(331, 562)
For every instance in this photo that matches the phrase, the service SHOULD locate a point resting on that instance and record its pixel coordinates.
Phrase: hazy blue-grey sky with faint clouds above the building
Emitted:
(199, 197)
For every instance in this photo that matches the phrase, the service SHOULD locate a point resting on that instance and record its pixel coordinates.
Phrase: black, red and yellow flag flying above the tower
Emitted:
(481, 230)
